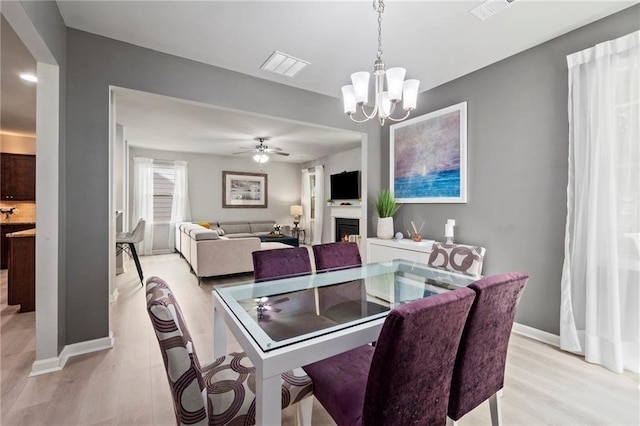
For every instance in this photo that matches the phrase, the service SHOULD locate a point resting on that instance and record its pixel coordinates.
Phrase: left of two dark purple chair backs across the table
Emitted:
(279, 263)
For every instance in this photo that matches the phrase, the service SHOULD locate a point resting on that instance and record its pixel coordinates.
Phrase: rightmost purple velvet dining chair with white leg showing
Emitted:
(478, 374)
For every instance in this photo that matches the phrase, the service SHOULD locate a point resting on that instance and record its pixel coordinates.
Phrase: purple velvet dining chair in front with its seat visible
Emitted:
(405, 379)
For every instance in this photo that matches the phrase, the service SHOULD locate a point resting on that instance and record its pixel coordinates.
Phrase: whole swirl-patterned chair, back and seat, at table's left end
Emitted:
(216, 394)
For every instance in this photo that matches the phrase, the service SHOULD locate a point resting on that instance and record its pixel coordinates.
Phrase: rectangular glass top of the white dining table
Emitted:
(285, 311)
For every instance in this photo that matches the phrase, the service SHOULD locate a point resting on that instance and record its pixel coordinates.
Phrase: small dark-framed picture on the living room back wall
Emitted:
(244, 190)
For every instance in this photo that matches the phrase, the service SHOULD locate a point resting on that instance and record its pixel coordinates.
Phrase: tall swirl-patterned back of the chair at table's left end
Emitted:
(178, 353)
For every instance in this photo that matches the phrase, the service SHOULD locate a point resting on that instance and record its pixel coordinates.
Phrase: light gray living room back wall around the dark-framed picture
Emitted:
(205, 188)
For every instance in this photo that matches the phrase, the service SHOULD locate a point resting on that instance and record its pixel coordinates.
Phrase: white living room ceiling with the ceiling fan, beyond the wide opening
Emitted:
(158, 122)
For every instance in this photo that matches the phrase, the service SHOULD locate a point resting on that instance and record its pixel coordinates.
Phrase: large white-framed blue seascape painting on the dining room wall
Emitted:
(428, 157)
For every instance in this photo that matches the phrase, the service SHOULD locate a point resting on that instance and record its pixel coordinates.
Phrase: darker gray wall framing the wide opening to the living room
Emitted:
(95, 63)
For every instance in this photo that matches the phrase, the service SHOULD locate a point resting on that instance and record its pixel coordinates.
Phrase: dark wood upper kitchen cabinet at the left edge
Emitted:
(18, 177)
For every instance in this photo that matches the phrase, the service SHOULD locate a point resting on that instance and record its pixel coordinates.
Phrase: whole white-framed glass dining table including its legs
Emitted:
(294, 321)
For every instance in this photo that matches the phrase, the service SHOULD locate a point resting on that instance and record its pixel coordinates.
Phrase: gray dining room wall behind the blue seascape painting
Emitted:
(517, 164)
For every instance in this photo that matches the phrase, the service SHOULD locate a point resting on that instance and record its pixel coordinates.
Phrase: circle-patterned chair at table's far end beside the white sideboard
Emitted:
(457, 258)
